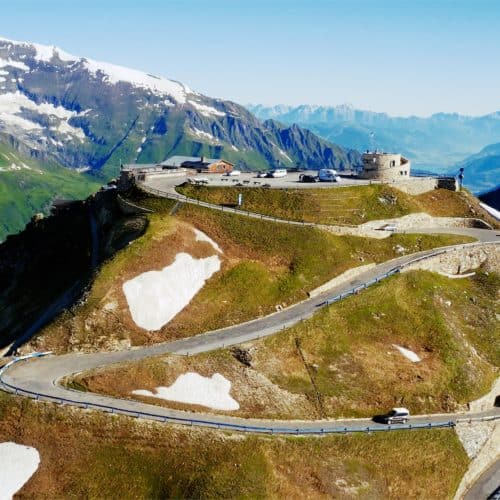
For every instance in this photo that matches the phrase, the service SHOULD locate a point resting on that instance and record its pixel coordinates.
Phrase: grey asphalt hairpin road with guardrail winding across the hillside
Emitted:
(41, 377)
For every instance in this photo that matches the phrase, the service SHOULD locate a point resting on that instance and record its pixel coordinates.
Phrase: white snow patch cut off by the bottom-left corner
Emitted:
(17, 464)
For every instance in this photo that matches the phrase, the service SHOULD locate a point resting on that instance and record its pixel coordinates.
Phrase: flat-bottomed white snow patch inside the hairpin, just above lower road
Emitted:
(192, 388)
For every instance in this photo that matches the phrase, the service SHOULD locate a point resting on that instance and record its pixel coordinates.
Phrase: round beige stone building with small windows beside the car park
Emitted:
(386, 167)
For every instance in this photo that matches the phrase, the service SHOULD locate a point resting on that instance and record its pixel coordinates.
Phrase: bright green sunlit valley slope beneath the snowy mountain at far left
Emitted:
(25, 192)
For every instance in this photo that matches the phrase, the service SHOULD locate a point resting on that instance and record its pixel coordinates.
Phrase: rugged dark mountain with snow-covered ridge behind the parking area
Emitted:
(91, 115)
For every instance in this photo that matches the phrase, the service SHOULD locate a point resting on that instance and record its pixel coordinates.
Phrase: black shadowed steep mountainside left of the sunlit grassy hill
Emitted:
(47, 267)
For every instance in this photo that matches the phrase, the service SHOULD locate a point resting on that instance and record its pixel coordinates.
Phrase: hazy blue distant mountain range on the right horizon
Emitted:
(437, 143)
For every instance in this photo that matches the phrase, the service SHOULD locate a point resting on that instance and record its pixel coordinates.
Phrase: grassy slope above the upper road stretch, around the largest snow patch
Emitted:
(264, 264)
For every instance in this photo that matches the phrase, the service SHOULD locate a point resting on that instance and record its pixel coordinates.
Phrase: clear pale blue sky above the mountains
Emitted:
(402, 57)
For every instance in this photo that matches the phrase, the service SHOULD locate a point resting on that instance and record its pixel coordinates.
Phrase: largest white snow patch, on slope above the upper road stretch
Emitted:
(155, 297)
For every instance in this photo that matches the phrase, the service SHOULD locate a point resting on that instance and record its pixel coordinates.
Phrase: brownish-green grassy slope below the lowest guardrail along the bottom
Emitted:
(91, 455)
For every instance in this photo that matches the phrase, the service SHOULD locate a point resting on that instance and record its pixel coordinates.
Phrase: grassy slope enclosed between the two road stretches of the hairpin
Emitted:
(341, 362)
